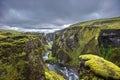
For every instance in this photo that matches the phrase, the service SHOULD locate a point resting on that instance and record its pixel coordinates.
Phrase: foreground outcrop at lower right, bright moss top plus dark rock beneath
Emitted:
(92, 66)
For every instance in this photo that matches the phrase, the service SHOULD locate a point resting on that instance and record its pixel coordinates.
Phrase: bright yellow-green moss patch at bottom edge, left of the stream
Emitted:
(51, 75)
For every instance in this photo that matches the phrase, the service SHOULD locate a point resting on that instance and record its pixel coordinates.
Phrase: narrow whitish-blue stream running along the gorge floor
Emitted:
(69, 73)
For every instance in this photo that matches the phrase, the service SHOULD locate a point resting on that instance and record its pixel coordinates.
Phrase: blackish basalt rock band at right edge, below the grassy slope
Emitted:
(110, 38)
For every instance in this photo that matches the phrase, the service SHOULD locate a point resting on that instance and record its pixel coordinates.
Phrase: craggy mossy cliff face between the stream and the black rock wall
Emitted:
(75, 41)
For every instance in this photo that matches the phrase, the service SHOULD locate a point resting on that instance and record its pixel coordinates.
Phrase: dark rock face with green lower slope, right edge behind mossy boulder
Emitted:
(109, 44)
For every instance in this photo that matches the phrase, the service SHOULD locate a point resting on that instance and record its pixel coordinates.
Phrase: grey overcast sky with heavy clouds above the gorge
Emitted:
(31, 15)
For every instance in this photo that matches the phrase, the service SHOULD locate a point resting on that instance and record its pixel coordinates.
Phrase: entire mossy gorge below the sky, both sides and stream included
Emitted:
(83, 51)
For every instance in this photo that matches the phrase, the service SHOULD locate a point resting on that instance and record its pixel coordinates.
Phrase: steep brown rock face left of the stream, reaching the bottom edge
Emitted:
(35, 68)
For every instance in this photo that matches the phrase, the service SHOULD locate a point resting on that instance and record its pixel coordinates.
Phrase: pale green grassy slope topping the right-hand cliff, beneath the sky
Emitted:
(107, 23)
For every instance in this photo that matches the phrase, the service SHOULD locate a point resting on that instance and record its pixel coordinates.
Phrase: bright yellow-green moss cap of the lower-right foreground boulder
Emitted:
(100, 66)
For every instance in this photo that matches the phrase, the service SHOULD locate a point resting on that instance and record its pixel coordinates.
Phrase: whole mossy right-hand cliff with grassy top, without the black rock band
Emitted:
(83, 38)
